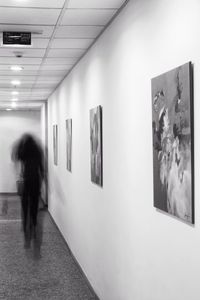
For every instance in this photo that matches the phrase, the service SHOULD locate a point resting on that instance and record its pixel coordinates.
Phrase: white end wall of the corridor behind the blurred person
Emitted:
(12, 125)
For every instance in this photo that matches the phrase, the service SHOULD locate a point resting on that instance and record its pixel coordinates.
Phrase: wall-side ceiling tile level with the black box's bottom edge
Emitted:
(71, 43)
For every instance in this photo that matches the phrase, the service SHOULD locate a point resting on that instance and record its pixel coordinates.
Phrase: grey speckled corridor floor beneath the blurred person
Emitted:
(26, 273)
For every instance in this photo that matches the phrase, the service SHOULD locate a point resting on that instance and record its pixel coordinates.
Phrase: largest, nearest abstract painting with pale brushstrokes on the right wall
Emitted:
(172, 110)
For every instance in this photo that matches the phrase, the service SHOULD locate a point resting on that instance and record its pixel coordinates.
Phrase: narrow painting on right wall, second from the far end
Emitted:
(69, 144)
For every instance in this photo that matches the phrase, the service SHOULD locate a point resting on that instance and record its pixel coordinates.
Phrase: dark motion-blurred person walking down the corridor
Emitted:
(29, 153)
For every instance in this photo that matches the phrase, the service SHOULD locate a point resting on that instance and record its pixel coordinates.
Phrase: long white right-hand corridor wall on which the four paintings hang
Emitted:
(127, 248)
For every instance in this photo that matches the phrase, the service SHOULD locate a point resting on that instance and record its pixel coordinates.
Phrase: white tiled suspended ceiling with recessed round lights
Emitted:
(62, 30)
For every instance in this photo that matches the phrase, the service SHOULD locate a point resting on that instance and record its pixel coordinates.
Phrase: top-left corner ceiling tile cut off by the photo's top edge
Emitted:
(33, 3)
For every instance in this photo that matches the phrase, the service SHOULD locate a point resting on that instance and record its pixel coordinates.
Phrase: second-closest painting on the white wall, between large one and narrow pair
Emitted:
(96, 145)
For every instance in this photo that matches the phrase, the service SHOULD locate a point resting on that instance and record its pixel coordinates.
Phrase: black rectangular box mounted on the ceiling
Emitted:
(16, 38)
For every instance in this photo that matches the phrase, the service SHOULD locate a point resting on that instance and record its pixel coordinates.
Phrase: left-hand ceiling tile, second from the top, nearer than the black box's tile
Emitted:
(29, 16)
